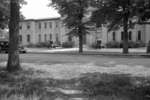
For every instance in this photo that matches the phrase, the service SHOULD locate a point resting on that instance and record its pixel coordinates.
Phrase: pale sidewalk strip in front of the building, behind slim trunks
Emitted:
(103, 51)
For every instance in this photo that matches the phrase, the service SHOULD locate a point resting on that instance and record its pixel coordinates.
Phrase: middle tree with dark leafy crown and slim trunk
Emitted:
(73, 13)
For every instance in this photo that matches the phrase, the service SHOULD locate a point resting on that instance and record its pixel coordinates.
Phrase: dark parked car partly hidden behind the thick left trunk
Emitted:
(4, 47)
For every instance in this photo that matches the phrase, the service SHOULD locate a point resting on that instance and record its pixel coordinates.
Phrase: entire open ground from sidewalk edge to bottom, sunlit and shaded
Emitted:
(65, 77)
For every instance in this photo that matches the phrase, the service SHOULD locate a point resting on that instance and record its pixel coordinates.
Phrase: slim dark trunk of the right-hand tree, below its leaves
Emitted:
(125, 34)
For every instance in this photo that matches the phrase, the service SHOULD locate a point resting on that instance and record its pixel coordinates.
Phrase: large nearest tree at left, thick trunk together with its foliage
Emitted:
(9, 14)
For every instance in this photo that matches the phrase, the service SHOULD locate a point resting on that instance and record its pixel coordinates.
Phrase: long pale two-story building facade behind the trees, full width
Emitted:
(45, 30)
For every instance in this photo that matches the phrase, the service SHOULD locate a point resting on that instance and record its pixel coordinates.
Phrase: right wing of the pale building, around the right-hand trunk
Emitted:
(140, 33)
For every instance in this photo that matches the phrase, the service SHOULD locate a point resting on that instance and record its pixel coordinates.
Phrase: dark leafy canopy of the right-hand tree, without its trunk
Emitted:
(112, 12)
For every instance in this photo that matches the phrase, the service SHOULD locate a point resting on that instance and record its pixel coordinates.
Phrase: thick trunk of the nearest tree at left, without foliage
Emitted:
(13, 55)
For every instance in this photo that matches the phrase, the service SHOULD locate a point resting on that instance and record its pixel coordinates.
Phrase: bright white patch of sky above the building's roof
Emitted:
(38, 9)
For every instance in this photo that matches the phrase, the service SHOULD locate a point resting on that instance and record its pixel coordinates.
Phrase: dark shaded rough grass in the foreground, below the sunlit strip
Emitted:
(27, 85)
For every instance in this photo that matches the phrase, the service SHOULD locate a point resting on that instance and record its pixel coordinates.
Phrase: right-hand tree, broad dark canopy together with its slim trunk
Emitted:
(116, 14)
